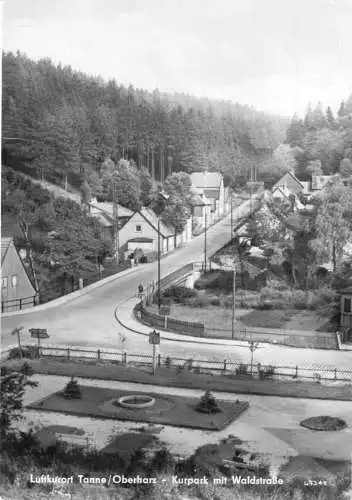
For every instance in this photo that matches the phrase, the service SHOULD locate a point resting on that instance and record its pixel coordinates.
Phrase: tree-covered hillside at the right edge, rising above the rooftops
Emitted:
(321, 142)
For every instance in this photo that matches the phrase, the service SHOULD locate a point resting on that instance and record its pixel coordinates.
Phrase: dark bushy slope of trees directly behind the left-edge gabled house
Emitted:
(63, 243)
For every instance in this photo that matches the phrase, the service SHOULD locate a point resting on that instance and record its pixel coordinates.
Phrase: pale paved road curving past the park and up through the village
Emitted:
(89, 320)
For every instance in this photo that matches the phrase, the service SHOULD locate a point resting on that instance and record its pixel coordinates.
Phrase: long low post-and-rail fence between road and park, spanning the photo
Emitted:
(224, 366)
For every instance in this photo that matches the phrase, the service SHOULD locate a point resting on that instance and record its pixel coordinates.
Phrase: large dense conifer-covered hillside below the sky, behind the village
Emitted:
(63, 124)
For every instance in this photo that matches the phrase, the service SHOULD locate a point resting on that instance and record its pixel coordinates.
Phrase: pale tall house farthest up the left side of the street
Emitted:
(212, 186)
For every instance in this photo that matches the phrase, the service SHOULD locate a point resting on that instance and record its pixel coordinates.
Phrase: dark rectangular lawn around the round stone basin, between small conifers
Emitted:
(169, 410)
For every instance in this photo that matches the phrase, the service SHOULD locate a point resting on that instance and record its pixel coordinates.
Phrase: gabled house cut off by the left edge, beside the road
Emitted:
(17, 290)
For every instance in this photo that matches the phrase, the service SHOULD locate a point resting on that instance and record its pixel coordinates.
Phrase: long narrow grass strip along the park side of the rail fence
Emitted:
(186, 379)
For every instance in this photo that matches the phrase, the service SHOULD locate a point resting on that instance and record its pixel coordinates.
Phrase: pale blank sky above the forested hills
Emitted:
(274, 55)
